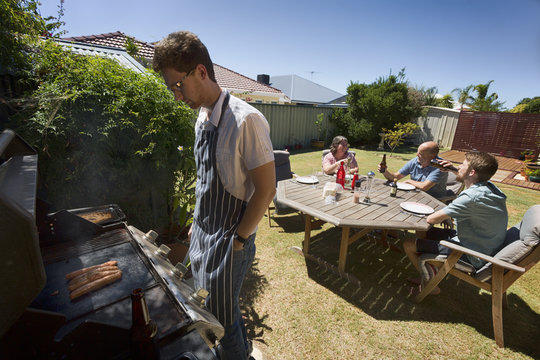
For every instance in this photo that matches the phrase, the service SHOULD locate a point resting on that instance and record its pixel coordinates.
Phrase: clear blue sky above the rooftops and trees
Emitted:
(447, 44)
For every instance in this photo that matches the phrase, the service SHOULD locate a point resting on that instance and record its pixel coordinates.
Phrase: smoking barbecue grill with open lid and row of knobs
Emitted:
(37, 317)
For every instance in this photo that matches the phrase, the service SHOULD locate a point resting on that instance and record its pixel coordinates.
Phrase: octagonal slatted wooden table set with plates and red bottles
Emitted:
(383, 212)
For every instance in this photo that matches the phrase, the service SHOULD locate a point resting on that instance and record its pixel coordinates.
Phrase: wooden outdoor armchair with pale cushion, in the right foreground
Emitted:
(519, 253)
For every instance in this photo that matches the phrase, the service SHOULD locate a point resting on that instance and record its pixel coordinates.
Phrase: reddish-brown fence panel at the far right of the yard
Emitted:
(507, 134)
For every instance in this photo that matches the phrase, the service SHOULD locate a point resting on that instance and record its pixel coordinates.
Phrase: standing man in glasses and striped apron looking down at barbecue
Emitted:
(235, 180)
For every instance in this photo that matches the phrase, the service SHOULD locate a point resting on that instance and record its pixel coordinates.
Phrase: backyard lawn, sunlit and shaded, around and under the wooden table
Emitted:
(297, 309)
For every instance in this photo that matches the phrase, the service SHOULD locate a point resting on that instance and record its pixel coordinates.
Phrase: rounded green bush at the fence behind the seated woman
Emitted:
(373, 107)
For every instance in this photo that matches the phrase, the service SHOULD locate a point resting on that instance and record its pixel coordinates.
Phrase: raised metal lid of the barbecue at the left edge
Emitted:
(23, 275)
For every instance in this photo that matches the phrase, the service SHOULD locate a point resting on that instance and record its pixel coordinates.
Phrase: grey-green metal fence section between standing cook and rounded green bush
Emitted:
(293, 124)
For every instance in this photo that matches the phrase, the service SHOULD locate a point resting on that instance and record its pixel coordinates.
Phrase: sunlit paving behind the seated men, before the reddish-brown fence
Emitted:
(508, 172)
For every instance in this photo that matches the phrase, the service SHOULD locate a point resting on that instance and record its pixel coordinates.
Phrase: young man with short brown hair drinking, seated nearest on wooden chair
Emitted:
(480, 214)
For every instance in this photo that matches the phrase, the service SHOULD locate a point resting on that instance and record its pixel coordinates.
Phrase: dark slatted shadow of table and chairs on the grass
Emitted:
(383, 293)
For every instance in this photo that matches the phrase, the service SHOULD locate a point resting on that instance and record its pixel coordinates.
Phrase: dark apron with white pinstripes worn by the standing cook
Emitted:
(217, 215)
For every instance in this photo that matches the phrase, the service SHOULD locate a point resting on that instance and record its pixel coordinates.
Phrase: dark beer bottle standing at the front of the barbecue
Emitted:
(143, 330)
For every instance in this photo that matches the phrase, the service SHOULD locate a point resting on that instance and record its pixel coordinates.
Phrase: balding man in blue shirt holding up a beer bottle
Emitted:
(423, 176)
